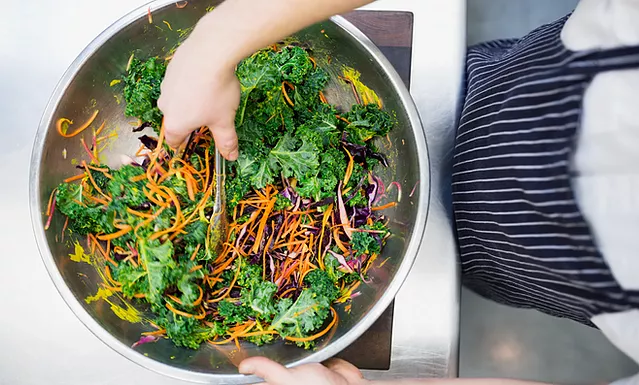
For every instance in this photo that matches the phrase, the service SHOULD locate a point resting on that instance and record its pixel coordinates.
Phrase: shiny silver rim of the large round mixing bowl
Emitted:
(333, 347)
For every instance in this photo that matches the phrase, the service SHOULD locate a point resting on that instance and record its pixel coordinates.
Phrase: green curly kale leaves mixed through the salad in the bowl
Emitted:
(285, 130)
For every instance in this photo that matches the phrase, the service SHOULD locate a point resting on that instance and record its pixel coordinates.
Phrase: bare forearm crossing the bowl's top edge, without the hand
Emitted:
(237, 28)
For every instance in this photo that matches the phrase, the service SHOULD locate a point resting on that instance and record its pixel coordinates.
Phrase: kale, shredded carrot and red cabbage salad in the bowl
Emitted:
(154, 218)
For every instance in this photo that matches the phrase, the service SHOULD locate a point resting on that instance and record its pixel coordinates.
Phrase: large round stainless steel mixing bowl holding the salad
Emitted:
(85, 87)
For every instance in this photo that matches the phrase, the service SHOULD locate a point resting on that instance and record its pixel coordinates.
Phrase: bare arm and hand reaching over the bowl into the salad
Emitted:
(200, 87)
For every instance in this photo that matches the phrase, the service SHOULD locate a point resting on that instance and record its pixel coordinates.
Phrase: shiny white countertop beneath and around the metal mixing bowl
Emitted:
(42, 342)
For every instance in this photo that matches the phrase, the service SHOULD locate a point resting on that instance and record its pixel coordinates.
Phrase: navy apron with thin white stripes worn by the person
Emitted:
(522, 238)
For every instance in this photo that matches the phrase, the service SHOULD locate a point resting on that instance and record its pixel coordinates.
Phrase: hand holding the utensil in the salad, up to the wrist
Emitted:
(200, 89)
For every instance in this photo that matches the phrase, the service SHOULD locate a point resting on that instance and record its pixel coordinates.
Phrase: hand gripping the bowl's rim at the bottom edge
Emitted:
(333, 372)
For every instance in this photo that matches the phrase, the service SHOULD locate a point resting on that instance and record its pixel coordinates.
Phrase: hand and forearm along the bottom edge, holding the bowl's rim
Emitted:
(340, 372)
